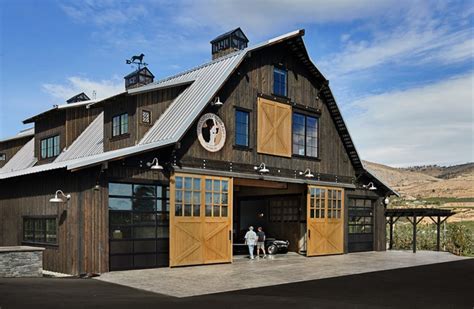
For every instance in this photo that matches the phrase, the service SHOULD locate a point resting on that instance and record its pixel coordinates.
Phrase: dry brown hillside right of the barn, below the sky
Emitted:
(428, 181)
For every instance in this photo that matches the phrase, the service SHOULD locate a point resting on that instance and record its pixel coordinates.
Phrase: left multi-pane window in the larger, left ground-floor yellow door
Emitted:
(188, 196)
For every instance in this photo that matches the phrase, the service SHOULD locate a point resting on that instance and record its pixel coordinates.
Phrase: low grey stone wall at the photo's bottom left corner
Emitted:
(21, 261)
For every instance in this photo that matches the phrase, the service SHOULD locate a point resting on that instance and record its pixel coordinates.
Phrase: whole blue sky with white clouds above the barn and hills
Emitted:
(401, 71)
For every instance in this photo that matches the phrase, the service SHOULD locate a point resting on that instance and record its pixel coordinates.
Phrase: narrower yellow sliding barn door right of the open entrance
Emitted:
(325, 221)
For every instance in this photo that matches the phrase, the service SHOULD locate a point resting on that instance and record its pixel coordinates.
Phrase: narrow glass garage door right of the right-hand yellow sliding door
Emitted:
(361, 218)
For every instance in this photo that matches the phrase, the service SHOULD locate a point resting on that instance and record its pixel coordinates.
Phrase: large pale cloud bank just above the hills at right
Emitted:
(428, 124)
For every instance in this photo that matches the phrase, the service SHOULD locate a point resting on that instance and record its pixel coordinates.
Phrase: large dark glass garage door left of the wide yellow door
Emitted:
(138, 226)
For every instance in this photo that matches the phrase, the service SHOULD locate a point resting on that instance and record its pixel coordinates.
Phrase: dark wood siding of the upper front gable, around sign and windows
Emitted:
(254, 77)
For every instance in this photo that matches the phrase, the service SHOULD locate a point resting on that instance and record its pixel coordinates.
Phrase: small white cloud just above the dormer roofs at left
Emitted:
(75, 85)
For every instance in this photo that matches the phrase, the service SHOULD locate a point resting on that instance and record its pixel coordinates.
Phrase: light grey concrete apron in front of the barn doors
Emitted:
(243, 274)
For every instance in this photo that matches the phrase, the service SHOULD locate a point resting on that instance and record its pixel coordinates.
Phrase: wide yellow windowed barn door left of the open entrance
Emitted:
(200, 220)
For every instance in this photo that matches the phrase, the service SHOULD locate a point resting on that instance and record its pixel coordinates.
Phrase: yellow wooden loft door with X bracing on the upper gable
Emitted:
(273, 128)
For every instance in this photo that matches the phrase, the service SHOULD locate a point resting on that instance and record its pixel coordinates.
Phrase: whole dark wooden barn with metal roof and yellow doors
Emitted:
(172, 172)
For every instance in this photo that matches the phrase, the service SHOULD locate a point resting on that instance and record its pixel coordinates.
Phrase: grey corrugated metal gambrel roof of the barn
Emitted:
(203, 83)
